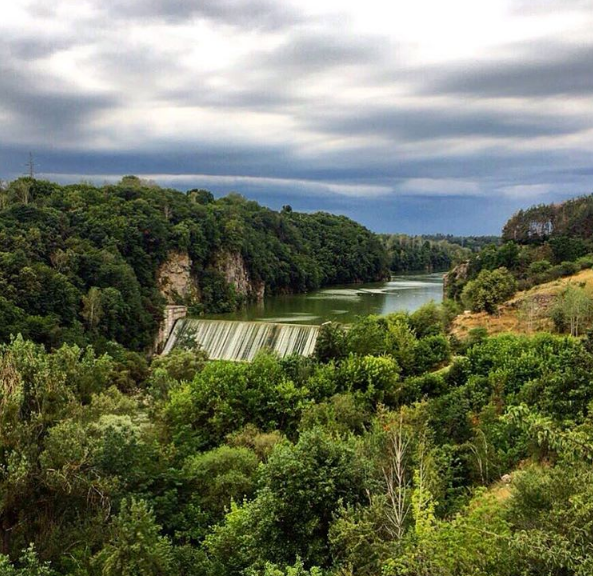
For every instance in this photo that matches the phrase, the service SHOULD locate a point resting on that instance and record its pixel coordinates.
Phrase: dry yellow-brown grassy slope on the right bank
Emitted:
(525, 313)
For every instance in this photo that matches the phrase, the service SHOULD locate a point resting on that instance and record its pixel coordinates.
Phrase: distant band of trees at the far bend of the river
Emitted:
(421, 254)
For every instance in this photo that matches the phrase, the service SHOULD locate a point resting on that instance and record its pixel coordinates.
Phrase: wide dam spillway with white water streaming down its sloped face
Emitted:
(241, 341)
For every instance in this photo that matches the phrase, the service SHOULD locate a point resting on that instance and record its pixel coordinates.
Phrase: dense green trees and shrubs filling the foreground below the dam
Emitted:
(369, 459)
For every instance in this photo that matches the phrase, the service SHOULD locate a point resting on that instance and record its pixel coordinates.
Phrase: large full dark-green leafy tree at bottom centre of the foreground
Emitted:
(302, 487)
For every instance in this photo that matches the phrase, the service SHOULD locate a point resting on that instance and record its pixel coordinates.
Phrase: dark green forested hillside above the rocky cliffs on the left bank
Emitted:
(79, 263)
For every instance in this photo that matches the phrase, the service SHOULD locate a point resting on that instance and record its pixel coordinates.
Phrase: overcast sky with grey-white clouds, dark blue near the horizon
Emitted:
(414, 117)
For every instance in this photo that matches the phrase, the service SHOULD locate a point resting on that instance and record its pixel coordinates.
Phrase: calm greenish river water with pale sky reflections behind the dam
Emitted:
(344, 304)
